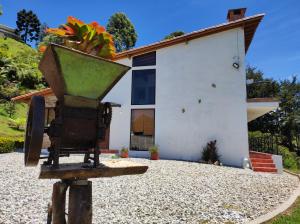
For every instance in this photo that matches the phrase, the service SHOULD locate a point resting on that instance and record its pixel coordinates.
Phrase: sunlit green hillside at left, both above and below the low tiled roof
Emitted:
(18, 74)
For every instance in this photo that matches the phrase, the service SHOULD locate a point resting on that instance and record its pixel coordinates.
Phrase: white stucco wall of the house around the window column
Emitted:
(184, 75)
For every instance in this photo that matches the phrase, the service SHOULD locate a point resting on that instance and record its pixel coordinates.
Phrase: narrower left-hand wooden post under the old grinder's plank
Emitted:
(59, 202)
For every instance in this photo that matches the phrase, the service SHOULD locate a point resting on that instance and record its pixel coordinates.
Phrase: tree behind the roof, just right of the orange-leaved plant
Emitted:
(122, 30)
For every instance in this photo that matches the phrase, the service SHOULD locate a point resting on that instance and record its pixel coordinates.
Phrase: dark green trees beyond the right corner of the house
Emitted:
(285, 121)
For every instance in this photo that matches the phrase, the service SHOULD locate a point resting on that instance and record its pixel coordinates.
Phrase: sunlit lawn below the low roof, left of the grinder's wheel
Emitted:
(5, 130)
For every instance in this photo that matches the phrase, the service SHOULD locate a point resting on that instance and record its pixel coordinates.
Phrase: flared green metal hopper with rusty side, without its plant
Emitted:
(74, 73)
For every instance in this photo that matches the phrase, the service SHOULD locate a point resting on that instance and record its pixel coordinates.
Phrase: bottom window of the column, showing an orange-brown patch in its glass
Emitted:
(142, 129)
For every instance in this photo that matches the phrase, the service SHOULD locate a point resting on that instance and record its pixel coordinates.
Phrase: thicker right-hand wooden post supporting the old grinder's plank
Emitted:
(80, 202)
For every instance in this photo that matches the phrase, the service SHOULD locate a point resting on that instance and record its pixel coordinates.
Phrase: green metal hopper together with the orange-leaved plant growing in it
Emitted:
(81, 61)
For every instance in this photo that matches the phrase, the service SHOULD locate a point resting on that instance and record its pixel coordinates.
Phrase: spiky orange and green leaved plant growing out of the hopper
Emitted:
(90, 38)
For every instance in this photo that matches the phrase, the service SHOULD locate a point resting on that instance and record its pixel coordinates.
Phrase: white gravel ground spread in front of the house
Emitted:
(169, 192)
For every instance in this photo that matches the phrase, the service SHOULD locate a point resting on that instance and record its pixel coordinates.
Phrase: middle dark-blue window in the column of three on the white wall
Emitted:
(143, 87)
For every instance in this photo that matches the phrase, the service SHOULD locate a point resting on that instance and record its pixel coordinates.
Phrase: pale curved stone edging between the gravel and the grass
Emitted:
(282, 207)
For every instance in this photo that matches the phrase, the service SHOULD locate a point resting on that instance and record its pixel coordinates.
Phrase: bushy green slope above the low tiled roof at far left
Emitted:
(18, 68)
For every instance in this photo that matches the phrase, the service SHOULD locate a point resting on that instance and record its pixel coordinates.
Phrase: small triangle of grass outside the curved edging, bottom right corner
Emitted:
(290, 216)
